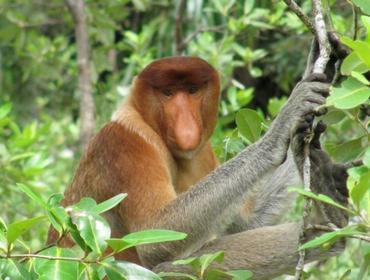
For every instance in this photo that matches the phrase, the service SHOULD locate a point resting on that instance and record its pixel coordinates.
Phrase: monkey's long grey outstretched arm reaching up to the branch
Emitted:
(205, 209)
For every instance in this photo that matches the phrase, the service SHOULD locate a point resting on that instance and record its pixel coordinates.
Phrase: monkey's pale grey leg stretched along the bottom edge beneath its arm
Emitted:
(268, 252)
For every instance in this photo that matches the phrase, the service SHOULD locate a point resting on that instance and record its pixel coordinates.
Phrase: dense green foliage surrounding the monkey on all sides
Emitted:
(258, 47)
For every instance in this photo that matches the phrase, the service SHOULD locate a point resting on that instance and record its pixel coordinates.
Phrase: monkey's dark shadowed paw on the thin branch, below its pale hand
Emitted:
(327, 177)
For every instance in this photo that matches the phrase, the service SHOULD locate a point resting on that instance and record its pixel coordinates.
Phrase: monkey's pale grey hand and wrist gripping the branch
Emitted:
(305, 99)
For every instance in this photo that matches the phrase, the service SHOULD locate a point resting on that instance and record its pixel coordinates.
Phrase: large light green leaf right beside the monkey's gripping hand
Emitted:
(350, 94)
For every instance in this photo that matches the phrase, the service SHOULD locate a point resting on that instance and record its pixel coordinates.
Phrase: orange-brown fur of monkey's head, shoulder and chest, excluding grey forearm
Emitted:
(156, 146)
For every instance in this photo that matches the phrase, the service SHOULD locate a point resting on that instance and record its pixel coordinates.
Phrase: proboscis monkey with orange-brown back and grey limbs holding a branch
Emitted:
(156, 149)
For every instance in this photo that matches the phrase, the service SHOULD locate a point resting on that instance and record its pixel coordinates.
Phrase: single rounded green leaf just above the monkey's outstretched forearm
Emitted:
(249, 124)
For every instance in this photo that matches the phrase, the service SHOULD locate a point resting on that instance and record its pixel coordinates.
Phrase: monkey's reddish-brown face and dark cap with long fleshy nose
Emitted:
(180, 102)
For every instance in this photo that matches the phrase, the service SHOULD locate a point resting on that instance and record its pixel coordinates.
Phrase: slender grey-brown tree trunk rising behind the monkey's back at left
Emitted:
(87, 107)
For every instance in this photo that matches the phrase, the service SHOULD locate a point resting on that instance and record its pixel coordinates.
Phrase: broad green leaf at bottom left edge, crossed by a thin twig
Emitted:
(57, 269)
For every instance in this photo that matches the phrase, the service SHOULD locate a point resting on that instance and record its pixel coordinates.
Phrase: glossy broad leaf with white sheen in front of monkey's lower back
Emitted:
(93, 229)
